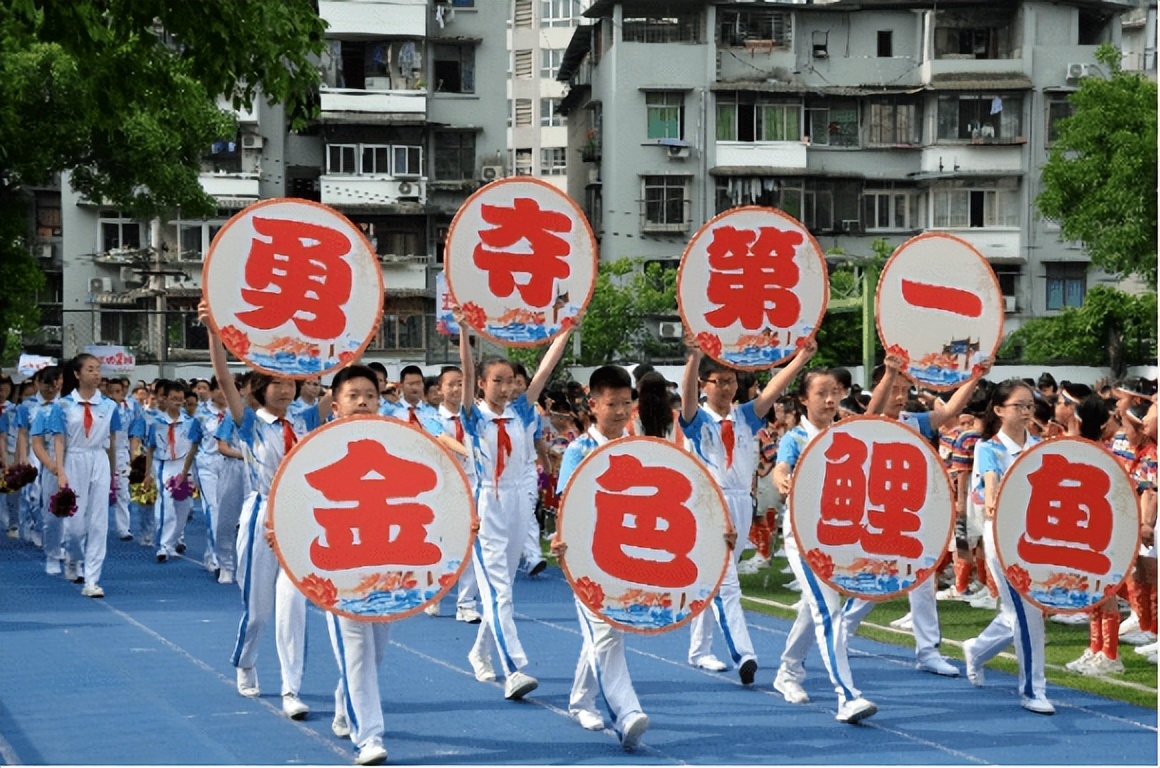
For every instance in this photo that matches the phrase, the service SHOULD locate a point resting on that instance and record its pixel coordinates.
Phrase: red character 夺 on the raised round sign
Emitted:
(543, 259)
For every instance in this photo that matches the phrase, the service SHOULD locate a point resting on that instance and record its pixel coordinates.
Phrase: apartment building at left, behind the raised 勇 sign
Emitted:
(412, 121)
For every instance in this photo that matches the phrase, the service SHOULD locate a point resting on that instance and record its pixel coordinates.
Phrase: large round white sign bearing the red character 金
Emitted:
(372, 519)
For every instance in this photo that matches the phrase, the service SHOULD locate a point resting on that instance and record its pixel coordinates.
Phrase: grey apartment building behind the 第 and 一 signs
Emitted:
(864, 119)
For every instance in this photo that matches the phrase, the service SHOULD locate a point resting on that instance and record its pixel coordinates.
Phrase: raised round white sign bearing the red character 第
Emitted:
(753, 287)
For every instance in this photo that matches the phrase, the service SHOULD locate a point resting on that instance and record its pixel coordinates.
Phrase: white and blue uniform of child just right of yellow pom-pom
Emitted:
(171, 440)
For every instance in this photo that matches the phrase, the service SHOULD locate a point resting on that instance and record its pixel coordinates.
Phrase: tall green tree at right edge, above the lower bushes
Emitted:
(1100, 182)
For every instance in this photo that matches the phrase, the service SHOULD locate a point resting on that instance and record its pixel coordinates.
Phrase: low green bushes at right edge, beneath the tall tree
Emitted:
(1112, 329)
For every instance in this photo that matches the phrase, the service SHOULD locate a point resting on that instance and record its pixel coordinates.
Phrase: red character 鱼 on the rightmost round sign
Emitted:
(1069, 517)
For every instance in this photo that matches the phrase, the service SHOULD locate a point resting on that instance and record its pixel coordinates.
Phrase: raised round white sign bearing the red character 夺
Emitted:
(521, 262)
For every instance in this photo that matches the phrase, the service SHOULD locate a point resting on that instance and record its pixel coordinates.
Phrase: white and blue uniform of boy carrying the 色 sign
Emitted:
(603, 668)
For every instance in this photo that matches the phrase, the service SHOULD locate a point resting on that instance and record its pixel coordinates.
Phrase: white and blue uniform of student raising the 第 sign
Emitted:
(733, 466)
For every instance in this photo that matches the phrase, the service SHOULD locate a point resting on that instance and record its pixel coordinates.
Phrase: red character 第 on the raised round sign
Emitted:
(751, 274)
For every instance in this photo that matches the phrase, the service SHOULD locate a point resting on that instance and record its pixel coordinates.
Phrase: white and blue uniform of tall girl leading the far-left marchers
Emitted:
(89, 426)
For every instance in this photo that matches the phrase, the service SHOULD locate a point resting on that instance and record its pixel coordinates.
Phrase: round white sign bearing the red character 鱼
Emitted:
(1067, 525)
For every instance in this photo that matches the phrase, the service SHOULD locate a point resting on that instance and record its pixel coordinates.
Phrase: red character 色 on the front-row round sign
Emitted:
(644, 509)
